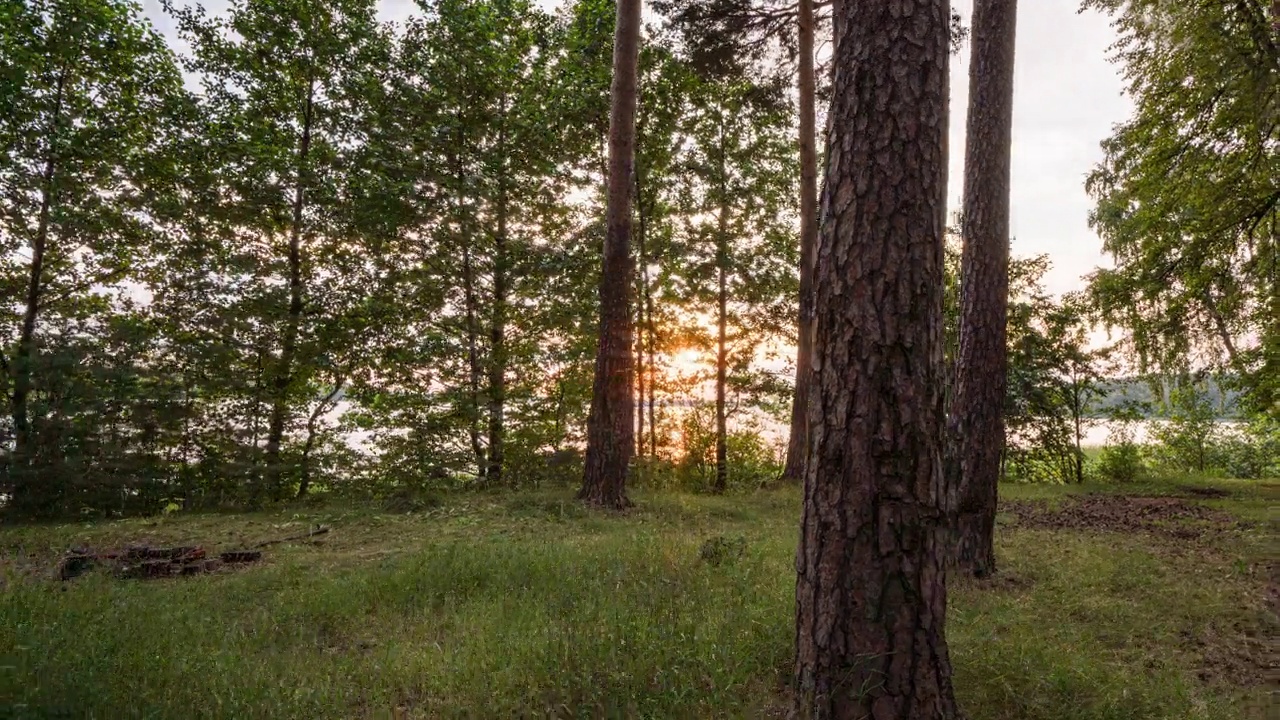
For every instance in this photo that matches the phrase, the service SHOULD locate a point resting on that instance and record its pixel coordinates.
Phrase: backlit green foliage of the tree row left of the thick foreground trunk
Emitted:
(316, 253)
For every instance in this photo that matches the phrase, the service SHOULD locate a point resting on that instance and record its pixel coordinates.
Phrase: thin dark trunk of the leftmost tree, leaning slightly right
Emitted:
(24, 493)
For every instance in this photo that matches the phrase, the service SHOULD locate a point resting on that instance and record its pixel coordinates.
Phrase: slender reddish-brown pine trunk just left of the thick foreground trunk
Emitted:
(794, 468)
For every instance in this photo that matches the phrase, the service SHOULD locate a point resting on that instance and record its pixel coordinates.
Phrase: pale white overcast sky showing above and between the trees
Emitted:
(1067, 99)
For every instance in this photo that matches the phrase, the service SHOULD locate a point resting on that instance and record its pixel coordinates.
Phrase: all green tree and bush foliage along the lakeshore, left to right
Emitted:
(316, 253)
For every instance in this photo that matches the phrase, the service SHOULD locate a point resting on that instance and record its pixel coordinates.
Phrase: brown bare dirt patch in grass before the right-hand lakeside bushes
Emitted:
(1168, 517)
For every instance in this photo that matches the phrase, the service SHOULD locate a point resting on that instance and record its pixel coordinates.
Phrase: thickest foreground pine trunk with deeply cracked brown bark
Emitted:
(871, 589)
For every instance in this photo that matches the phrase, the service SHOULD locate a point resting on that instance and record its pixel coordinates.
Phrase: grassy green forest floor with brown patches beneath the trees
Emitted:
(1150, 601)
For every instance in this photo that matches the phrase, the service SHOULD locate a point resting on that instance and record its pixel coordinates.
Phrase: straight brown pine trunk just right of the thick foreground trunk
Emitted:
(976, 429)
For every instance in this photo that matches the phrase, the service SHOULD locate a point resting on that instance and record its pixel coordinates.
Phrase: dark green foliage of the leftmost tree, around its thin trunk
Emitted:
(86, 101)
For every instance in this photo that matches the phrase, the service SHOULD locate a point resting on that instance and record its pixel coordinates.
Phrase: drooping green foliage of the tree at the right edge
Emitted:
(1187, 202)
